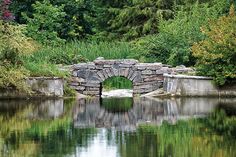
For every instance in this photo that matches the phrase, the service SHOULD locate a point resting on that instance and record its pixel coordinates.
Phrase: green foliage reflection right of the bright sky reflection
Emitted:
(182, 140)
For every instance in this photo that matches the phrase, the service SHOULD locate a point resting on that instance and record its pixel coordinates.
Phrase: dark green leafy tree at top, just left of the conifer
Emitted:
(77, 23)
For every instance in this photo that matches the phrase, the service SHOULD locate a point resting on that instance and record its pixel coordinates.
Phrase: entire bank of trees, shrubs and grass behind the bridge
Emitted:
(44, 33)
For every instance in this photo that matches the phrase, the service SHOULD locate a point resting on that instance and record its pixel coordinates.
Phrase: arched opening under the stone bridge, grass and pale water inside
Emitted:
(116, 86)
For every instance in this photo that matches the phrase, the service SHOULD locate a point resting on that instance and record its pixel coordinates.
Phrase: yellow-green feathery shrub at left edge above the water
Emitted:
(13, 44)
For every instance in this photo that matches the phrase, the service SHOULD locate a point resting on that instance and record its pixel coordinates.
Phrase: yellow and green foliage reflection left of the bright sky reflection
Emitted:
(21, 136)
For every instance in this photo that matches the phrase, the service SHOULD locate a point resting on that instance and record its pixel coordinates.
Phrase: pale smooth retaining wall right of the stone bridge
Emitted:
(183, 85)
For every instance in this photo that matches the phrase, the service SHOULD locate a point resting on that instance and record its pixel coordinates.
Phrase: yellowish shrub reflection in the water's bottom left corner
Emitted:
(14, 126)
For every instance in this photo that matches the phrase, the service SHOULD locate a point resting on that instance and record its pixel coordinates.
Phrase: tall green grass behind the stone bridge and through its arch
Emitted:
(43, 62)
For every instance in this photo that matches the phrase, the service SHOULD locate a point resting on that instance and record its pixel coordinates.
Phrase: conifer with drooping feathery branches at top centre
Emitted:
(133, 18)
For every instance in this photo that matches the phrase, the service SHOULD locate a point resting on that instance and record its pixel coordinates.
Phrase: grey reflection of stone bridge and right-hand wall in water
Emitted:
(93, 112)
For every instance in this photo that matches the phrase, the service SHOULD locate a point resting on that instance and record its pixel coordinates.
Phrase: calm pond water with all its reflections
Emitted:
(118, 127)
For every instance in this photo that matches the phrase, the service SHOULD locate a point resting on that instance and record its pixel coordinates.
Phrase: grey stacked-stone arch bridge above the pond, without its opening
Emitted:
(87, 78)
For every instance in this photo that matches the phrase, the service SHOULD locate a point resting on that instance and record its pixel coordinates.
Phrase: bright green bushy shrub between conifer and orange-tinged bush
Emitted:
(172, 45)
